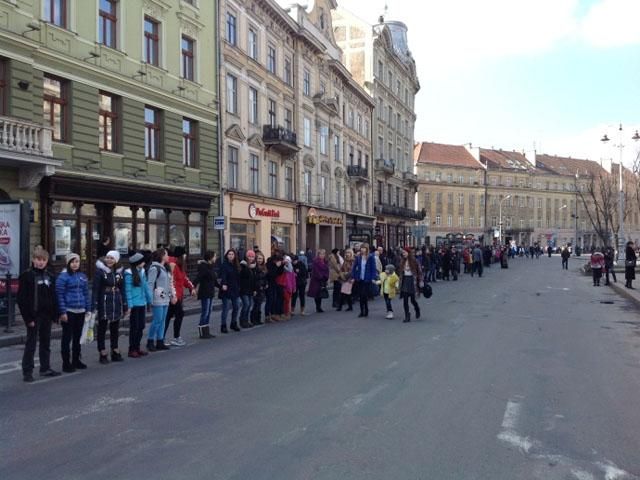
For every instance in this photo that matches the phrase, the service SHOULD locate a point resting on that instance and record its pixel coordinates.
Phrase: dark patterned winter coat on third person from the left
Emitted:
(109, 298)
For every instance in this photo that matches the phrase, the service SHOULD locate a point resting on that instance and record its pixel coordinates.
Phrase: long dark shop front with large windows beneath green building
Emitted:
(91, 217)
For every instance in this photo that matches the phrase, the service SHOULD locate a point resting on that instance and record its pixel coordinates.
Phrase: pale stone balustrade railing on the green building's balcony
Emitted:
(25, 137)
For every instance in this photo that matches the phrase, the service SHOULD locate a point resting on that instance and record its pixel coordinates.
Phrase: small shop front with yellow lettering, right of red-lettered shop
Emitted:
(322, 229)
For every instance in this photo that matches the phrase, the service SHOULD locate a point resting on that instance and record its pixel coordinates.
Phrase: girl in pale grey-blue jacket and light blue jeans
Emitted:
(160, 284)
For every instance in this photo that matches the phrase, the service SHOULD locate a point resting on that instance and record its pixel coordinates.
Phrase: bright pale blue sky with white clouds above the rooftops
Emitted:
(549, 75)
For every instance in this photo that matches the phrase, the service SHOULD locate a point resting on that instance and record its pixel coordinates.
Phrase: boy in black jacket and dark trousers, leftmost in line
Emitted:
(36, 300)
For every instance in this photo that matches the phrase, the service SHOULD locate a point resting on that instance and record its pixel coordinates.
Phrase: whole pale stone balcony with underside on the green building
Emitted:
(28, 147)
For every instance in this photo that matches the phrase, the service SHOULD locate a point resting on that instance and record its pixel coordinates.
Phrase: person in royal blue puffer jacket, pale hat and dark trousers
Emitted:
(74, 302)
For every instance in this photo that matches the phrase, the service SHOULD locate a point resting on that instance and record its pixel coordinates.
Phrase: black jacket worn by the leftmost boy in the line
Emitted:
(36, 296)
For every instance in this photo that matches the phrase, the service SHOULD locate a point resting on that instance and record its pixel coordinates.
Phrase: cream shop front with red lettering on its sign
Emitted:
(253, 223)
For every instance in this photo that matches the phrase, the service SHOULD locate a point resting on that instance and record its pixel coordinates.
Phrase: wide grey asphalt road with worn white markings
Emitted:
(523, 374)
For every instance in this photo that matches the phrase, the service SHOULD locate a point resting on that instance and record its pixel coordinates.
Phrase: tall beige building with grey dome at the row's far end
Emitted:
(379, 58)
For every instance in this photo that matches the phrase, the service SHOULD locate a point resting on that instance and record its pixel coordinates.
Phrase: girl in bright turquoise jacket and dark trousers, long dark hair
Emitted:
(138, 297)
